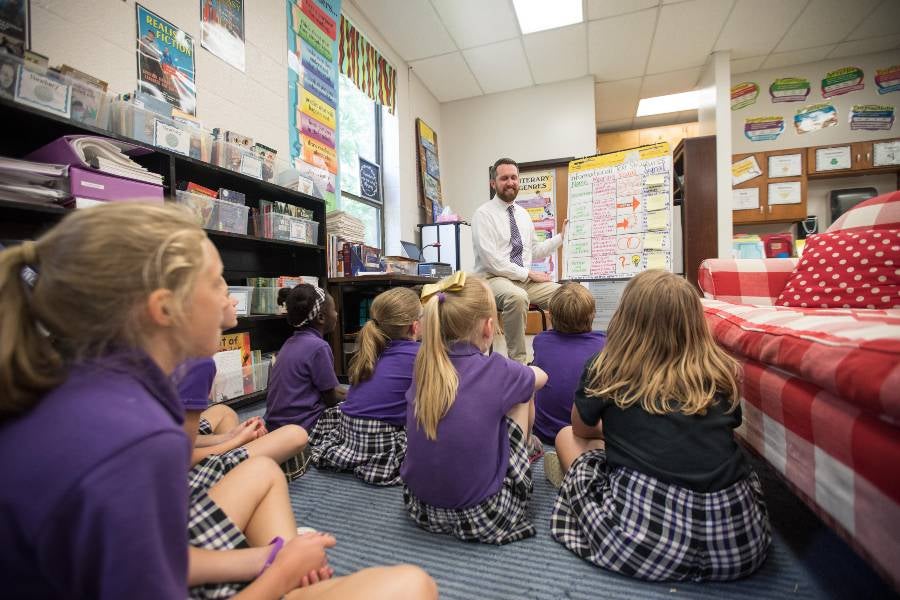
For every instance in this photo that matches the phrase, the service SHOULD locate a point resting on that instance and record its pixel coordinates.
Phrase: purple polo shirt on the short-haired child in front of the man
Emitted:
(562, 356)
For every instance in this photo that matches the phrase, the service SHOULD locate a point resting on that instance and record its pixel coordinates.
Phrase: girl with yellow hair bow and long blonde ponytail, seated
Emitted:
(466, 471)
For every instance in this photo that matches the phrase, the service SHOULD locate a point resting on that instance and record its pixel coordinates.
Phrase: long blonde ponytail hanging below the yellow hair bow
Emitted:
(436, 378)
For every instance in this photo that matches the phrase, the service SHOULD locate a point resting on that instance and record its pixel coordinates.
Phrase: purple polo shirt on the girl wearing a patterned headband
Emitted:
(303, 370)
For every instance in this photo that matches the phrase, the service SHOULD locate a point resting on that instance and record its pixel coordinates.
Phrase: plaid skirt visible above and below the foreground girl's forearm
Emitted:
(209, 527)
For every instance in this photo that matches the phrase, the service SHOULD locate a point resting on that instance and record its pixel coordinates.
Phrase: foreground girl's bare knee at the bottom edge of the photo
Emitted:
(396, 583)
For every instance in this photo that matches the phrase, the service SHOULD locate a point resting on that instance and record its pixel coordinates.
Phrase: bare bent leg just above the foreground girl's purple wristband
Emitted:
(254, 495)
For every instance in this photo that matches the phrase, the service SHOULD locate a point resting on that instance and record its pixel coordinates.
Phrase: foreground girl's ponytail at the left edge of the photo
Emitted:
(29, 363)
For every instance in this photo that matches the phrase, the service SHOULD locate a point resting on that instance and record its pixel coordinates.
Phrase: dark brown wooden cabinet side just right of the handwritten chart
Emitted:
(694, 164)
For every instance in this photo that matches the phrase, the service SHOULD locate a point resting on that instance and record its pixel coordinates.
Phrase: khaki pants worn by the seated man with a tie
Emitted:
(513, 298)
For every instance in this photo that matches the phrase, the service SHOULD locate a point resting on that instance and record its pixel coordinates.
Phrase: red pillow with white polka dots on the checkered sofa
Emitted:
(847, 269)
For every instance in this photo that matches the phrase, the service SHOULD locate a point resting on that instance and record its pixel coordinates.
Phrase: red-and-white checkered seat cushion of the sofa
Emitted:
(852, 353)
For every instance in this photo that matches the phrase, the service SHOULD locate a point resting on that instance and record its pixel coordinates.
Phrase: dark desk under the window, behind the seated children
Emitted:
(352, 294)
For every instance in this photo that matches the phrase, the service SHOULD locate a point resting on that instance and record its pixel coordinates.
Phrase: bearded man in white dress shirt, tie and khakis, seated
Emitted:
(505, 244)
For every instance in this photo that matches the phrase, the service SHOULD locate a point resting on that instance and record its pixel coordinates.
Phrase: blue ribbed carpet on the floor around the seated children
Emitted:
(372, 528)
